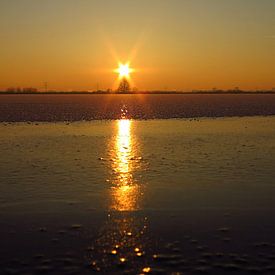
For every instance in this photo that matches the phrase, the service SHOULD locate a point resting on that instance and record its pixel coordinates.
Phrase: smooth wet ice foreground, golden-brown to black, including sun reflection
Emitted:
(189, 195)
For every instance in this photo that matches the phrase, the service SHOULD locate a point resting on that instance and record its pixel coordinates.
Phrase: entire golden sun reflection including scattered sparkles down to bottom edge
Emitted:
(123, 239)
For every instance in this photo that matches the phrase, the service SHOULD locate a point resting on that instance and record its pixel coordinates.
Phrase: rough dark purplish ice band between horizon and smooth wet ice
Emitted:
(45, 107)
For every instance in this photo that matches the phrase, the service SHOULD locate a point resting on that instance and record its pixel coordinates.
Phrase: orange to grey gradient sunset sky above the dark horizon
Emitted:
(175, 44)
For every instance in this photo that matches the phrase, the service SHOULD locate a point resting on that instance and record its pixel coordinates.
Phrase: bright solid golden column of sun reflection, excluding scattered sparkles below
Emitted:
(125, 192)
